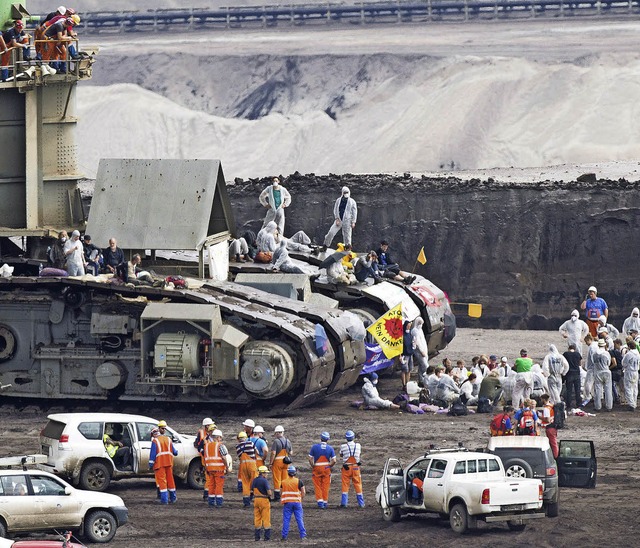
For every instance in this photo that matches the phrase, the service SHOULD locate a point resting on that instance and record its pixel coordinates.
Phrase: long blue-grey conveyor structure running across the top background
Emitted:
(360, 13)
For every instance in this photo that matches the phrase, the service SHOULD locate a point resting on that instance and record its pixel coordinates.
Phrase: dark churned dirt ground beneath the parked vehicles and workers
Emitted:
(606, 515)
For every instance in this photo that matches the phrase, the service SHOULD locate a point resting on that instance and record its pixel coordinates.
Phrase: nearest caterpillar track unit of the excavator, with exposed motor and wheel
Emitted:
(218, 342)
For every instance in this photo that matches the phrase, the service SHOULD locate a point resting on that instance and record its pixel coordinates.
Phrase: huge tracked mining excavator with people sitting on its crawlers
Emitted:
(86, 338)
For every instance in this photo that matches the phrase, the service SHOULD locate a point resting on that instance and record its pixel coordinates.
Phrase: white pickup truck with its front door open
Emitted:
(460, 485)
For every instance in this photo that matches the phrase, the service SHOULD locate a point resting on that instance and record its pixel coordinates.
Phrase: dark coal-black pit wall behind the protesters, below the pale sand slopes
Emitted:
(527, 252)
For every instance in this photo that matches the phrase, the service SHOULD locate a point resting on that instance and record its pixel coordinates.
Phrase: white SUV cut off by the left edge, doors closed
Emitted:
(33, 500)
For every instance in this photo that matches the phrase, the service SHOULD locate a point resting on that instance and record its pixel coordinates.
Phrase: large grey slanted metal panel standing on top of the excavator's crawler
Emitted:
(159, 204)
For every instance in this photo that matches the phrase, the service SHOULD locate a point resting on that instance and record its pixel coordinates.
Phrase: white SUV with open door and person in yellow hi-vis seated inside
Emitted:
(73, 444)
